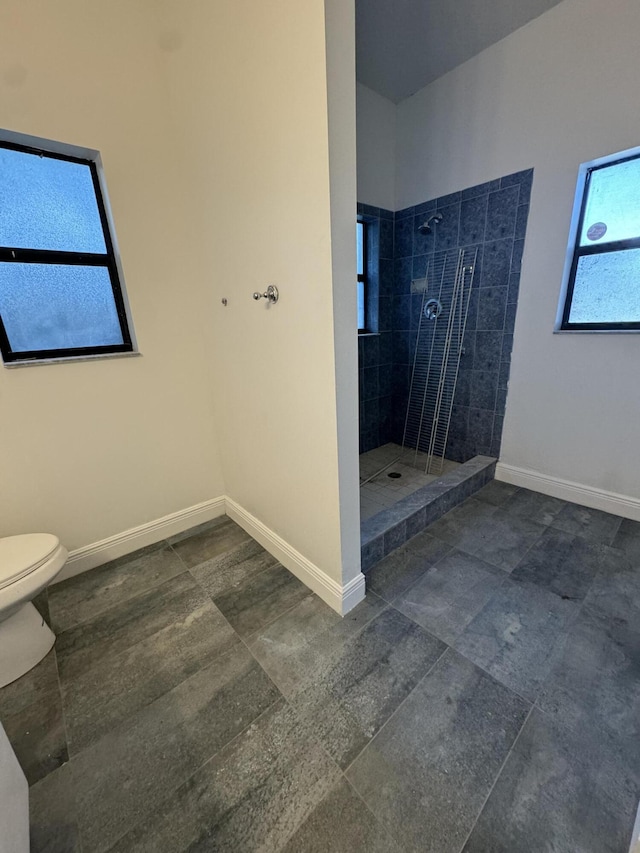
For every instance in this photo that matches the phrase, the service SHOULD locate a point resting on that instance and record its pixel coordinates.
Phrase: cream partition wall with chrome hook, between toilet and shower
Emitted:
(248, 86)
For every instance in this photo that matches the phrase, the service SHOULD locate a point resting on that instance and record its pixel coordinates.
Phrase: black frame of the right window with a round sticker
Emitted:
(578, 251)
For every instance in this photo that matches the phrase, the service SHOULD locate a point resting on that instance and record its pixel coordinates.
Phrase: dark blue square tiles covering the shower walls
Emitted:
(492, 217)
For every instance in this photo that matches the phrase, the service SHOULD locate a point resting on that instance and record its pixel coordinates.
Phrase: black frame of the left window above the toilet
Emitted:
(109, 260)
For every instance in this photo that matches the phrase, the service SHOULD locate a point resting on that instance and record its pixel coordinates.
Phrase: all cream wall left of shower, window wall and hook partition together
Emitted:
(212, 120)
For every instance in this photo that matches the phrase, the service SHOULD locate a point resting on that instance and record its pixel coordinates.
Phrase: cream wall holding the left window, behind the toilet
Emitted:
(88, 450)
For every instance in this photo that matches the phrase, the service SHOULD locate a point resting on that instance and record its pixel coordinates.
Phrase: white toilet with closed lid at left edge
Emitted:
(28, 563)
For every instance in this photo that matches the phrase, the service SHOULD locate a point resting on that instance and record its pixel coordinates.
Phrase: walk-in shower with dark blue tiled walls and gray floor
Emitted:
(488, 221)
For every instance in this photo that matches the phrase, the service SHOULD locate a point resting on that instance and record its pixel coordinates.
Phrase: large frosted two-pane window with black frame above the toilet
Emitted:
(60, 289)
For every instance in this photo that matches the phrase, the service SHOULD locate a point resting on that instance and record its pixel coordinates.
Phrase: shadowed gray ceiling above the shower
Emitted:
(402, 45)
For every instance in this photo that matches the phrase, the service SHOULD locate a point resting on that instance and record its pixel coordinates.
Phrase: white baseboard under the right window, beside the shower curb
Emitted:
(624, 505)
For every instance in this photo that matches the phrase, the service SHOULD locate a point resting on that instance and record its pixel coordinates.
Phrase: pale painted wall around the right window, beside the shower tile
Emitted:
(558, 92)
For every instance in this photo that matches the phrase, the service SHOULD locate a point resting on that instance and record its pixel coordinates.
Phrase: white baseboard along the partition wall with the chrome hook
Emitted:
(340, 598)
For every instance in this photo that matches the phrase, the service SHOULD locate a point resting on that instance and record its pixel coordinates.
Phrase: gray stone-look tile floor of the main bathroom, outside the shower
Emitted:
(485, 697)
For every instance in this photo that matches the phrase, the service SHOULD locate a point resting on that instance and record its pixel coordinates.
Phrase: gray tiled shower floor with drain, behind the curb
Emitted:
(383, 491)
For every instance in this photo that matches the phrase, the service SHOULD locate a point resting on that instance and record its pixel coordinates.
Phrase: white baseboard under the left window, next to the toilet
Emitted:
(98, 553)
